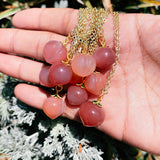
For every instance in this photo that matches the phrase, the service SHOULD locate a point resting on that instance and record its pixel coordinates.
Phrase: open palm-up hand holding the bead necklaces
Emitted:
(132, 106)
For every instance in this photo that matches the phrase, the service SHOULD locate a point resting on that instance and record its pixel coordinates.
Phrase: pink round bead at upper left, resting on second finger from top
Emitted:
(54, 51)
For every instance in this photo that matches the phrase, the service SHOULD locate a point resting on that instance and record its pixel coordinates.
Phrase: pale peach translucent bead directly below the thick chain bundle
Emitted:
(83, 65)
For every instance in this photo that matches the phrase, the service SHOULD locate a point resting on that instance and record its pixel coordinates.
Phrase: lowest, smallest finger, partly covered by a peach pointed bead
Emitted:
(35, 97)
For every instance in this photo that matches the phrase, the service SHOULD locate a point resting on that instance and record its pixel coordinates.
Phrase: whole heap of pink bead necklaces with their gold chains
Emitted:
(78, 65)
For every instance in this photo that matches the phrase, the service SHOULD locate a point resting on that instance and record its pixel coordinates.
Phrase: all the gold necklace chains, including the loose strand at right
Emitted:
(89, 35)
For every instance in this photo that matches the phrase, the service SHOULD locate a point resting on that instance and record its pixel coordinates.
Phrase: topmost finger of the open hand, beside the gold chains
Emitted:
(56, 19)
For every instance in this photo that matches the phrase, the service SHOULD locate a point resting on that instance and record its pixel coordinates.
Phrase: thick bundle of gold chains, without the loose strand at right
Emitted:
(88, 33)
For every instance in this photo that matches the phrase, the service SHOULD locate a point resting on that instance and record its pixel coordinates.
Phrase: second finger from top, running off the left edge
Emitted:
(26, 43)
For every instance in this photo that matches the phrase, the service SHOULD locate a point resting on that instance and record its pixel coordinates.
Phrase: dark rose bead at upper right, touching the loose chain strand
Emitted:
(104, 57)
